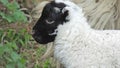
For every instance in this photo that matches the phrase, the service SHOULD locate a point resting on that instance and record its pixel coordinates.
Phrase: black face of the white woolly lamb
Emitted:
(52, 16)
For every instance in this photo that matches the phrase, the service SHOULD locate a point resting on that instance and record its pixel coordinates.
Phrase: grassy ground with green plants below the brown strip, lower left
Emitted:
(19, 50)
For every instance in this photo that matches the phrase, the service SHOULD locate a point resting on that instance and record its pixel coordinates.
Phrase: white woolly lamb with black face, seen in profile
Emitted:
(76, 44)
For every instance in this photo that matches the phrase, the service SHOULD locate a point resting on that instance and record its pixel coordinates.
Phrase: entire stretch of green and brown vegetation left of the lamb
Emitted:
(17, 49)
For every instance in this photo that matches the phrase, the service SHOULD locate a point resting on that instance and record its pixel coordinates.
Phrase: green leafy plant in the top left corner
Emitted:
(13, 14)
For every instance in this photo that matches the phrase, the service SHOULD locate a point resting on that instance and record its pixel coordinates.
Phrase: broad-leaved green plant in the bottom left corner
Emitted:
(10, 56)
